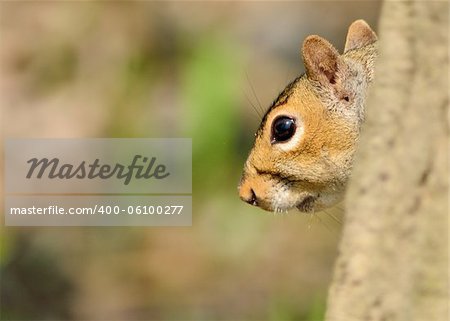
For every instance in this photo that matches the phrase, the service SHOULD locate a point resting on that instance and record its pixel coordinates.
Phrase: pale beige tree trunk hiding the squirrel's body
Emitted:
(393, 261)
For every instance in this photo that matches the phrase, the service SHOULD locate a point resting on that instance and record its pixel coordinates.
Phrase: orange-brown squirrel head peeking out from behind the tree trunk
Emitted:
(304, 148)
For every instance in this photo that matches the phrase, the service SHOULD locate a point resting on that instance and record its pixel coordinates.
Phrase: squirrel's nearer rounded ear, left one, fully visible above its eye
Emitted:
(321, 59)
